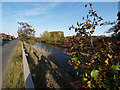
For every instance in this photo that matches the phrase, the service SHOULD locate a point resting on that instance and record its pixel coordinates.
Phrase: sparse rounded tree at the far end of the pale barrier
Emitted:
(25, 31)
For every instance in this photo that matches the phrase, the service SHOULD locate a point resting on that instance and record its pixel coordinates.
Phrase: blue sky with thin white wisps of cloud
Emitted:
(53, 16)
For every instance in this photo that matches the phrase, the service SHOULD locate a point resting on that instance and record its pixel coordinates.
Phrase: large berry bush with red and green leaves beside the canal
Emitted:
(96, 60)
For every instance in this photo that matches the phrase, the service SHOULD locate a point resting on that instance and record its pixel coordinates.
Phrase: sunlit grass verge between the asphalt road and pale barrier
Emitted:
(15, 75)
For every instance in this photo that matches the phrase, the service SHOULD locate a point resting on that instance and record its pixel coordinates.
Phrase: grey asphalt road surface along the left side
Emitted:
(8, 48)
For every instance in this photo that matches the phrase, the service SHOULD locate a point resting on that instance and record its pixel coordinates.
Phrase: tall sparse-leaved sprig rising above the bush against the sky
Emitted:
(87, 28)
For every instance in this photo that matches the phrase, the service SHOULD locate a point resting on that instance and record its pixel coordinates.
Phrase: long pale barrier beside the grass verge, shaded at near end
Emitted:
(27, 75)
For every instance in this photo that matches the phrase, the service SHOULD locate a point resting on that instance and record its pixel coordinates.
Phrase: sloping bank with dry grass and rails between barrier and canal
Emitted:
(41, 66)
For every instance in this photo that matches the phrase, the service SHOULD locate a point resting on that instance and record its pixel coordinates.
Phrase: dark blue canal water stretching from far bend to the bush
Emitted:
(59, 57)
